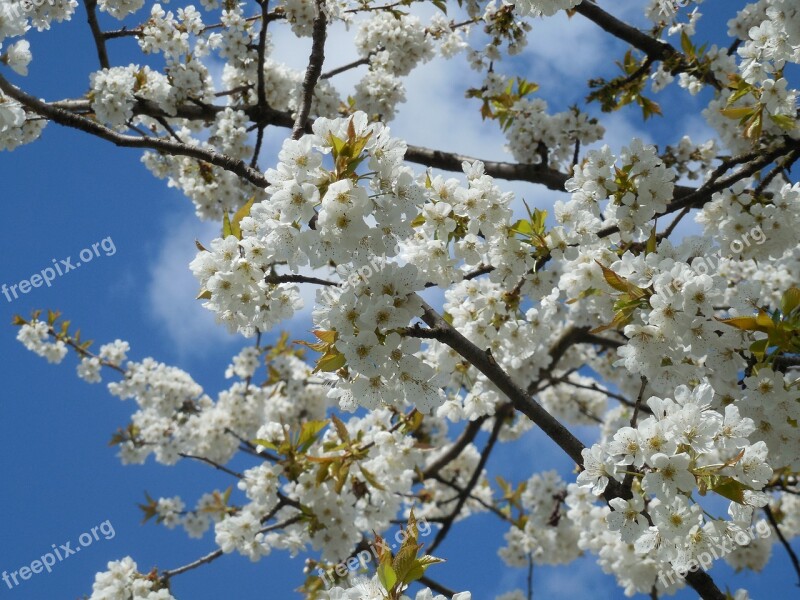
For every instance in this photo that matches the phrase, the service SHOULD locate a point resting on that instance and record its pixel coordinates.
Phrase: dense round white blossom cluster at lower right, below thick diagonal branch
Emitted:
(683, 443)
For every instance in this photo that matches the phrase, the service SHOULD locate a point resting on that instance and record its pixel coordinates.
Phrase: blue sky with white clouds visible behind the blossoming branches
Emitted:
(68, 191)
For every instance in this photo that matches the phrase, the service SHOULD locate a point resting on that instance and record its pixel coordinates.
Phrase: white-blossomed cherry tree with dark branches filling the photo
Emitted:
(685, 364)
